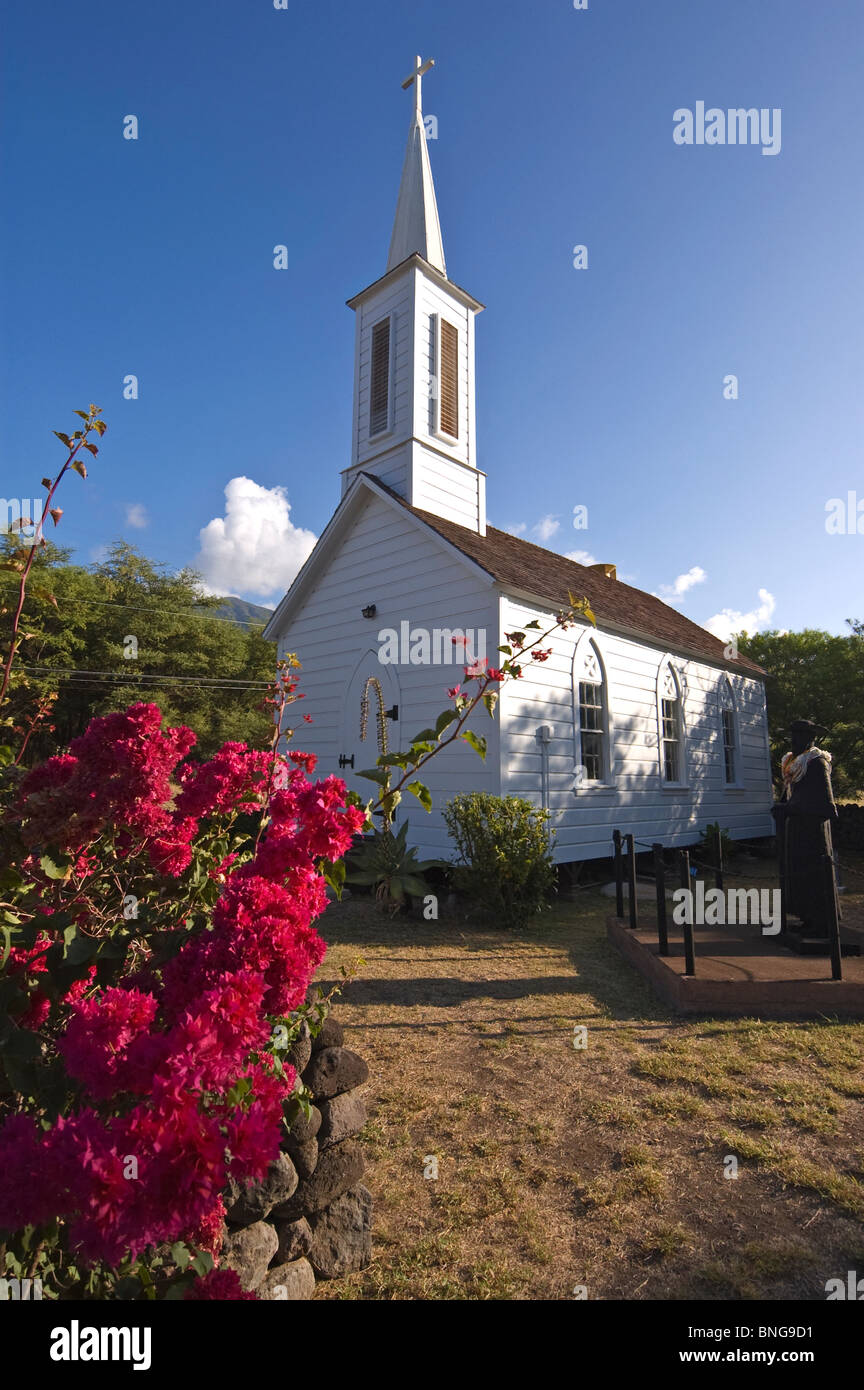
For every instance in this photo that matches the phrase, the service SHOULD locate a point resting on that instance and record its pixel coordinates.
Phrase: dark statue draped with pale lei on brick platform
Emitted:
(804, 819)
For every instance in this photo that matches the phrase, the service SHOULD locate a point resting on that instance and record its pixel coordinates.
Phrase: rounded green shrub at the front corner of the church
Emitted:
(505, 856)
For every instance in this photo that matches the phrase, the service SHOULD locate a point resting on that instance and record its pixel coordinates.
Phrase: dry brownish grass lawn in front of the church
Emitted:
(599, 1167)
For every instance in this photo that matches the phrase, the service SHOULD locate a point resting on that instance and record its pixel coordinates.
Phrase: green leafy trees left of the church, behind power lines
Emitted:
(131, 630)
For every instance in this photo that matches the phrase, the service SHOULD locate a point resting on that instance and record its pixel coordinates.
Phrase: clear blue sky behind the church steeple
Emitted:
(602, 387)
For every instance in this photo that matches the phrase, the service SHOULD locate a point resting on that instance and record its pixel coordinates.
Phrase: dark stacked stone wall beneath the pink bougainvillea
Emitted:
(312, 1216)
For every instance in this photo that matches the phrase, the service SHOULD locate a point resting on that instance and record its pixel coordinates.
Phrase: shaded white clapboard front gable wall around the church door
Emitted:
(388, 561)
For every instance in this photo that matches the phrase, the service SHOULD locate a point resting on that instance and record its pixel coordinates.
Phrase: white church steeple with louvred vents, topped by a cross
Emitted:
(415, 420)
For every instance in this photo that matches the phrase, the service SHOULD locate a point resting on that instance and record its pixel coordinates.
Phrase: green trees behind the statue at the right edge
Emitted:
(819, 676)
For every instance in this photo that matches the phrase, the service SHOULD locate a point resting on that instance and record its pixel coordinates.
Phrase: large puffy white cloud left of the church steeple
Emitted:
(255, 551)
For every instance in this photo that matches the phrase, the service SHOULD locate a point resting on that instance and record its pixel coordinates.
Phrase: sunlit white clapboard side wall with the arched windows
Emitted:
(637, 799)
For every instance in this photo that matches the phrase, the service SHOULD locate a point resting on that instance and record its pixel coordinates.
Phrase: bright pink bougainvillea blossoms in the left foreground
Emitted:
(173, 1086)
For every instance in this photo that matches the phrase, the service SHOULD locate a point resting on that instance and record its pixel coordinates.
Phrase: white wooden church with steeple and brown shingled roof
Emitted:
(667, 732)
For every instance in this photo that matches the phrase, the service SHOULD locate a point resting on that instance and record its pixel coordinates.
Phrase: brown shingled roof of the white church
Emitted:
(530, 569)
